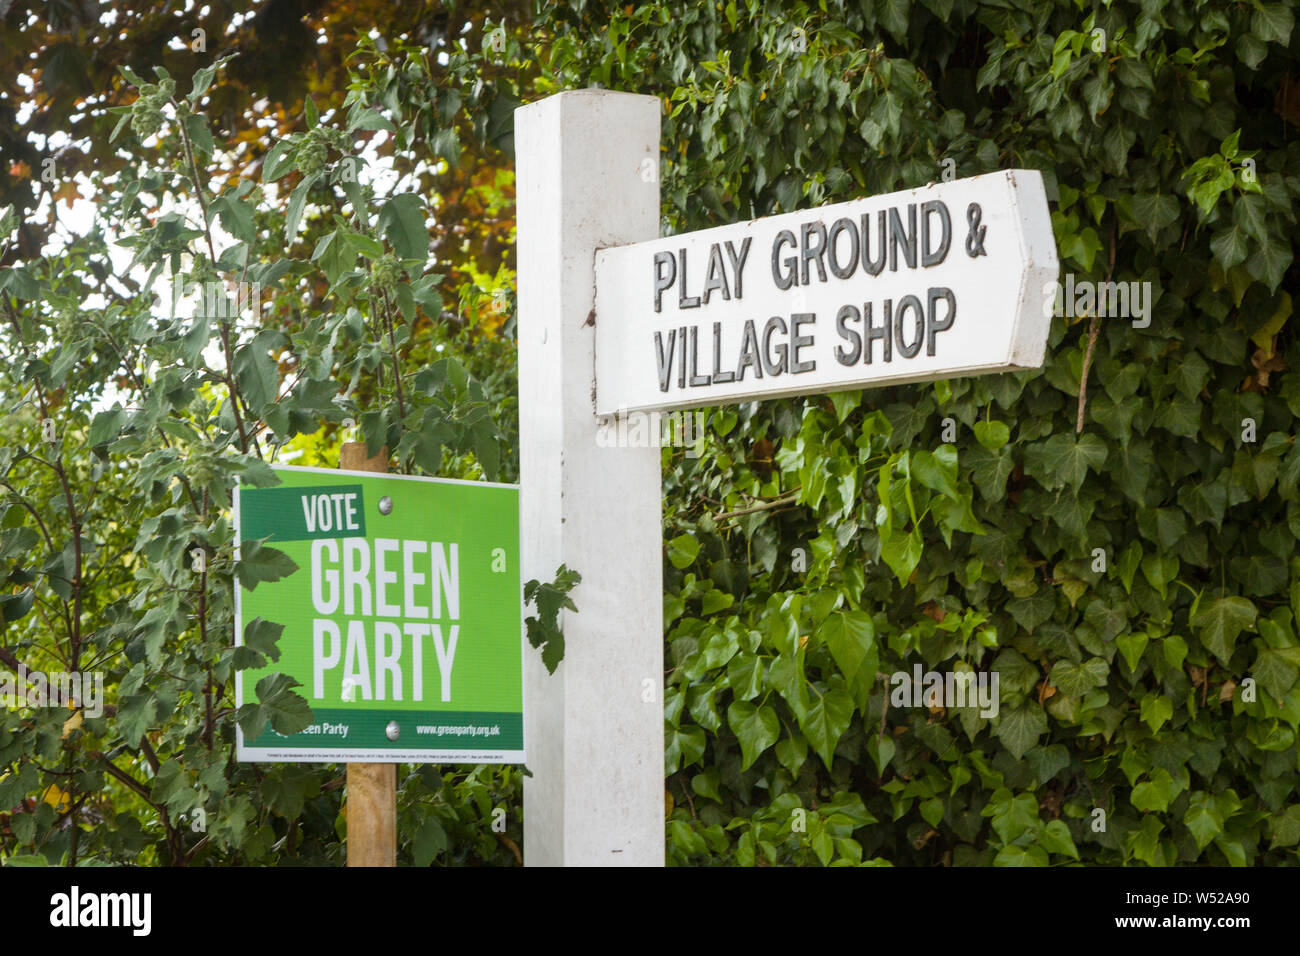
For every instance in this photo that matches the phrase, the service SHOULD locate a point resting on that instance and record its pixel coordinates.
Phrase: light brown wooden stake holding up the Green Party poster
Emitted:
(372, 789)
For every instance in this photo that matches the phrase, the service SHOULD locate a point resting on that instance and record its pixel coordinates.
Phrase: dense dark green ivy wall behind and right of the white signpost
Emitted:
(1123, 581)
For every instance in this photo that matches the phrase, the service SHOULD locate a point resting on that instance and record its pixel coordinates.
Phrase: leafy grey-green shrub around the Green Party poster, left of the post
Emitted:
(129, 418)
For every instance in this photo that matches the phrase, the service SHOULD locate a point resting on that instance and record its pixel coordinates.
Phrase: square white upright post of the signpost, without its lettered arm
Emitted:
(587, 178)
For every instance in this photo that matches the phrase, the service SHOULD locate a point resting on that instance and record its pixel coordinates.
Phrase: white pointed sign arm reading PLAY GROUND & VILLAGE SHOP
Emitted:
(934, 283)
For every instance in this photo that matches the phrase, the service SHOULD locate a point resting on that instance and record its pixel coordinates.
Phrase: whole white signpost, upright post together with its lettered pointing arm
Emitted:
(928, 284)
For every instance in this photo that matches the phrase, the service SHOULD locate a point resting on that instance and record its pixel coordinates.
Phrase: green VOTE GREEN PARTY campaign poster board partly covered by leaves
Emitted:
(402, 622)
